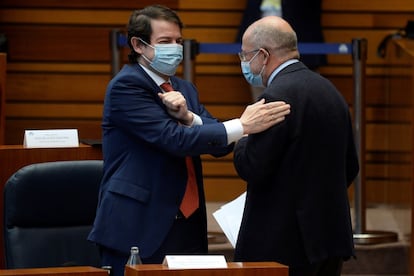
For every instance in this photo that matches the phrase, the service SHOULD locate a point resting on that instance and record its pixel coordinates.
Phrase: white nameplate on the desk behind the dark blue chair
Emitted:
(51, 138)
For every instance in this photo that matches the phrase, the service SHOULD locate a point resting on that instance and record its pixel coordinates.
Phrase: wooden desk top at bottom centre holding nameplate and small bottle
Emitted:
(233, 269)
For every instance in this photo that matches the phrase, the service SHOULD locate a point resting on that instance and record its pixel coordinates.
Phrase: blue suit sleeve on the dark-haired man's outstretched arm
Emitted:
(136, 108)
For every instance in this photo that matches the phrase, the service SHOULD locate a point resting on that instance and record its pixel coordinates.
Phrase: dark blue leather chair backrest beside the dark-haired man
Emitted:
(49, 209)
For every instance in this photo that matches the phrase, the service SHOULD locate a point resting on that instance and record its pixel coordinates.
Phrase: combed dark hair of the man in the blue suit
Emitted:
(139, 25)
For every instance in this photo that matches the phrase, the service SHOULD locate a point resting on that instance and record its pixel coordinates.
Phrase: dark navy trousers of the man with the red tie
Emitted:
(187, 236)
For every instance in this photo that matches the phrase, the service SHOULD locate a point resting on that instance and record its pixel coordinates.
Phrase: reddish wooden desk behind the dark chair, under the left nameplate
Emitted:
(14, 157)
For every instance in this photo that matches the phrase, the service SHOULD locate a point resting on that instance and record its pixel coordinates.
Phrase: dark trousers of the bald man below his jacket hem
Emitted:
(328, 267)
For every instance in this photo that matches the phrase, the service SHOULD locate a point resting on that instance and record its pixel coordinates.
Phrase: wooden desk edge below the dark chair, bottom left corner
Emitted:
(59, 271)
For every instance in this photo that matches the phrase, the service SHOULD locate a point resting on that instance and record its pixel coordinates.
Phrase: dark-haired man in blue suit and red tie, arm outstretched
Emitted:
(147, 137)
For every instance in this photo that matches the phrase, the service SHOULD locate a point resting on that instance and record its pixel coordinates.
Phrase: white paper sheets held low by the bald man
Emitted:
(229, 218)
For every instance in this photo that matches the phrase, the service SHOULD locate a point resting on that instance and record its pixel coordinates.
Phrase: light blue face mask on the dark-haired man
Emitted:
(166, 59)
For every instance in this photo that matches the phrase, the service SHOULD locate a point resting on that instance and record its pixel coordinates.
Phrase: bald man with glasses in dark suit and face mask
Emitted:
(297, 210)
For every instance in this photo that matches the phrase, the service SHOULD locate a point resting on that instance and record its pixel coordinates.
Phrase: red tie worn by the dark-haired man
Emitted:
(190, 200)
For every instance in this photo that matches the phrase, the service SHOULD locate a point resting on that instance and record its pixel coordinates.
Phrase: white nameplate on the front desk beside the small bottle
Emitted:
(195, 261)
